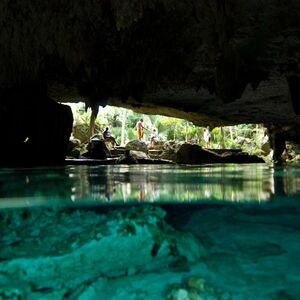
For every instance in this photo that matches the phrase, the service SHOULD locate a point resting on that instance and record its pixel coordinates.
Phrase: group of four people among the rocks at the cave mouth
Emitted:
(153, 138)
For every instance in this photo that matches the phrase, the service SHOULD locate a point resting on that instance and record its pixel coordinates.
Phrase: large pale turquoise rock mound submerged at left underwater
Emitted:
(105, 246)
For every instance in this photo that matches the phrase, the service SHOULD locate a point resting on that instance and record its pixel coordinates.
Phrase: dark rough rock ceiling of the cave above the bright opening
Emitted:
(212, 62)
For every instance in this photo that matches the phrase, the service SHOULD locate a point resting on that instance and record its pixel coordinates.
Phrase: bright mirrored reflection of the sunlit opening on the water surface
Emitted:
(142, 183)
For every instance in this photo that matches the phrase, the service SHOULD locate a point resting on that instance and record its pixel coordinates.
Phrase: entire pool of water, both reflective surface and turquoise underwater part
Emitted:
(150, 232)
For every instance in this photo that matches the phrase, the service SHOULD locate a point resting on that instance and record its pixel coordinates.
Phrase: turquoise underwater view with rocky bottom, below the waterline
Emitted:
(148, 252)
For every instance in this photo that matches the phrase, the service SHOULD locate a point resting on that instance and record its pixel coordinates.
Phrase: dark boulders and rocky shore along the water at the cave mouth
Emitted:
(137, 152)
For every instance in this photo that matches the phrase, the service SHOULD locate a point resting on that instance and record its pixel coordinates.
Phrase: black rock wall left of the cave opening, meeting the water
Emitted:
(35, 129)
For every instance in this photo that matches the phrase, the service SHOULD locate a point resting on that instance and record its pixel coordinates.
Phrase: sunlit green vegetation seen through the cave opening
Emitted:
(250, 138)
